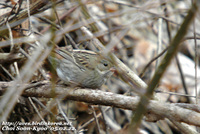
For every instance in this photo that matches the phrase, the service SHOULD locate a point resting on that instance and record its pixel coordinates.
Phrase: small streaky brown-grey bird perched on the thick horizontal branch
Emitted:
(81, 68)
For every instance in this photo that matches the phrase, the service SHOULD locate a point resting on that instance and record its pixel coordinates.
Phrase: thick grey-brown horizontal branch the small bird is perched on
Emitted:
(155, 108)
